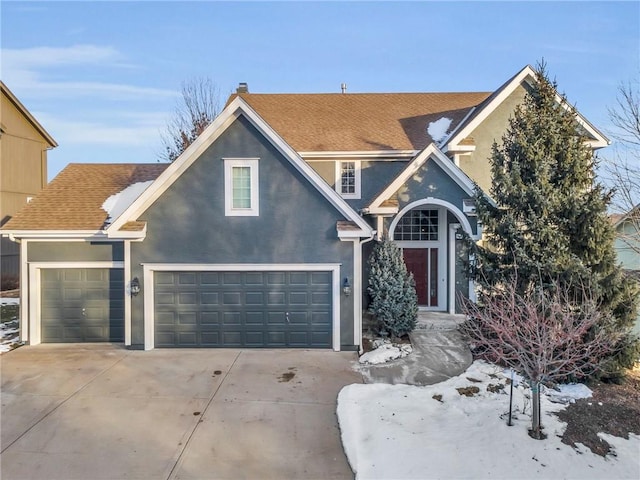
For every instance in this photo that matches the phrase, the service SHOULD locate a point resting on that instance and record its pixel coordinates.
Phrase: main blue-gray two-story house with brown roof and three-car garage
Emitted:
(259, 233)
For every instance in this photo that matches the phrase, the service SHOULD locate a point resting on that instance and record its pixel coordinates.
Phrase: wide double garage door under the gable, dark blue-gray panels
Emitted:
(243, 309)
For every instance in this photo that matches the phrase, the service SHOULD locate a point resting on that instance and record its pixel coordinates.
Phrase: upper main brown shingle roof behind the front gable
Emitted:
(360, 121)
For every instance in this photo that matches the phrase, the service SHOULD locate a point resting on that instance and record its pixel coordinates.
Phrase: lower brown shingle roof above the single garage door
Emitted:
(73, 200)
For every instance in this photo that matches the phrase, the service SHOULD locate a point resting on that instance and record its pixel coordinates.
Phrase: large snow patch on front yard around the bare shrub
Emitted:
(402, 432)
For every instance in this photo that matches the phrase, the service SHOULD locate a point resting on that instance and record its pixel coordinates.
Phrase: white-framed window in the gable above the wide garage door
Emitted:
(241, 187)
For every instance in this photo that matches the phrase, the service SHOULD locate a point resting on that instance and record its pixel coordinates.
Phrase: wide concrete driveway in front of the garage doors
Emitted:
(104, 412)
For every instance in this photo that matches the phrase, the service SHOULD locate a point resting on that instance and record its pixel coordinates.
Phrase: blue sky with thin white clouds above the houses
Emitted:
(103, 77)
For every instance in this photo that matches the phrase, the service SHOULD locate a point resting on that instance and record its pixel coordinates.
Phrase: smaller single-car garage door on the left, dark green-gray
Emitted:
(82, 305)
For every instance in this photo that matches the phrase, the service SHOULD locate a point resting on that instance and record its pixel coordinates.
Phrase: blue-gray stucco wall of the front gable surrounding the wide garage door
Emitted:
(296, 225)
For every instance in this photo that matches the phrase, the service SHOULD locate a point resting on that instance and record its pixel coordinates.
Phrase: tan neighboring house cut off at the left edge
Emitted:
(23, 170)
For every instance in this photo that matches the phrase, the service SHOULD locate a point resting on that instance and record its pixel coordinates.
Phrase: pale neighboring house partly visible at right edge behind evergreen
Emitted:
(627, 245)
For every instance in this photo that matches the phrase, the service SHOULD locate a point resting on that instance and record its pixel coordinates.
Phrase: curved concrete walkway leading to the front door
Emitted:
(439, 353)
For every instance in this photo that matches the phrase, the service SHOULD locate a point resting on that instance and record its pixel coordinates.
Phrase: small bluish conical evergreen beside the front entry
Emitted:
(394, 301)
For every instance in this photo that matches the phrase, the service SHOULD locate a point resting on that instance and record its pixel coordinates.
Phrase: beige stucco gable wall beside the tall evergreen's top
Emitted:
(476, 164)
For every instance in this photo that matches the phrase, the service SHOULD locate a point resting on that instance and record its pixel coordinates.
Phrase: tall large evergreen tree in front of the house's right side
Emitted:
(549, 223)
